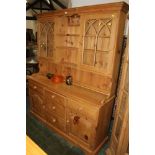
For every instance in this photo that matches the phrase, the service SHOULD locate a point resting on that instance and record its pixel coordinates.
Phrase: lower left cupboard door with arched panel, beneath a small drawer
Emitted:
(37, 103)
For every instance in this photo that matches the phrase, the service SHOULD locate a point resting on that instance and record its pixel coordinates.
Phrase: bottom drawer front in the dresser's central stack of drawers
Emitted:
(56, 121)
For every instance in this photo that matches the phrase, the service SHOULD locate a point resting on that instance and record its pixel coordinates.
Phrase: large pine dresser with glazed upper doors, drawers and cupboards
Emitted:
(85, 43)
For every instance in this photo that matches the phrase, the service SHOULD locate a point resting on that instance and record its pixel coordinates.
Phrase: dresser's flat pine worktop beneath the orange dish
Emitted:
(73, 91)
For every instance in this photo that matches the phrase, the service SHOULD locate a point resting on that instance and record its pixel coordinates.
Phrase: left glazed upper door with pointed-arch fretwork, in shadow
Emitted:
(46, 39)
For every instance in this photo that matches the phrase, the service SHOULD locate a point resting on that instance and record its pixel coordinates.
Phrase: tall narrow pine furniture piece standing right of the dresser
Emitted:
(120, 132)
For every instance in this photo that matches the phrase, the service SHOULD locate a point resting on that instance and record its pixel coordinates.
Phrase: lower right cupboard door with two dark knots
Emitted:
(80, 127)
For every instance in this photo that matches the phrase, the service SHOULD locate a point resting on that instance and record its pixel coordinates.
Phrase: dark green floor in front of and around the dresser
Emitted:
(48, 140)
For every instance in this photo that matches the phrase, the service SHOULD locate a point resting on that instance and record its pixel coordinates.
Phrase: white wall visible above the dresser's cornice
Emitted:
(77, 3)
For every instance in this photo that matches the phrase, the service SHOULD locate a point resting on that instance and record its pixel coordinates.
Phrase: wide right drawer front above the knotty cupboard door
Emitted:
(85, 109)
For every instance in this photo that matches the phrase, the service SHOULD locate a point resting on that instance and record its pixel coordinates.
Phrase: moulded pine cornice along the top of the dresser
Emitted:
(118, 6)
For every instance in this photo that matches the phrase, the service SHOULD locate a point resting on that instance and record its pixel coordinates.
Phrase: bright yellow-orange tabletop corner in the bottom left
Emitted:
(32, 148)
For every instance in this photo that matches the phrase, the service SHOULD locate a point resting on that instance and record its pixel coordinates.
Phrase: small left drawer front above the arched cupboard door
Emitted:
(36, 87)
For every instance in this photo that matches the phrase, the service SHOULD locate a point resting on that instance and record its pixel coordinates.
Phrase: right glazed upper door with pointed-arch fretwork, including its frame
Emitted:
(99, 42)
